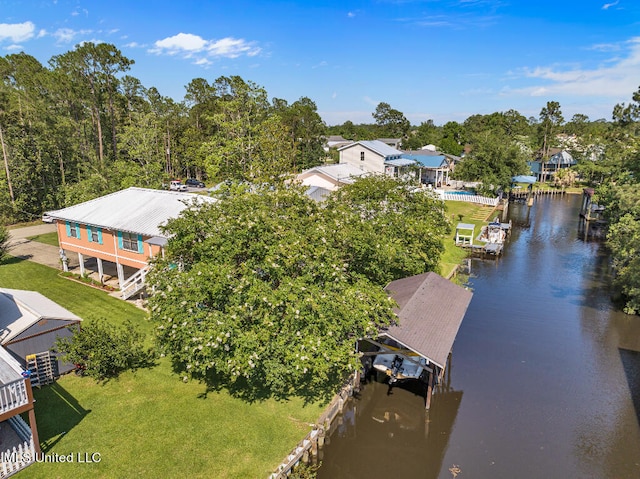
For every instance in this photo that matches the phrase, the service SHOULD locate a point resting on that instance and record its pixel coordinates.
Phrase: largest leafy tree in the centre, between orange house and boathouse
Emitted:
(265, 299)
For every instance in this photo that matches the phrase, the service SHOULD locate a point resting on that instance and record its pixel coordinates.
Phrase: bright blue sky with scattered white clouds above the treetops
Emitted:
(431, 59)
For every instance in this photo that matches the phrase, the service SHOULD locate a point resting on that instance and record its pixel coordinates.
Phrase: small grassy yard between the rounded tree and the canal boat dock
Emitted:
(461, 212)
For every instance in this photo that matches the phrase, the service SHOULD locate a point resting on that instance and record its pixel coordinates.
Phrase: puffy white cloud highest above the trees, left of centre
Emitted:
(194, 46)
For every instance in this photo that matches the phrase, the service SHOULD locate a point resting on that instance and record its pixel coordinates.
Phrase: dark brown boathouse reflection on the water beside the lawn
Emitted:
(391, 435)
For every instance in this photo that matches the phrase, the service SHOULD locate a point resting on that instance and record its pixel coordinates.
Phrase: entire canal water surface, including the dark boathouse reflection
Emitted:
(544, 380)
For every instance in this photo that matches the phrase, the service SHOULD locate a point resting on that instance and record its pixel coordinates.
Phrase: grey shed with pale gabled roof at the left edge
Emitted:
(31, 322)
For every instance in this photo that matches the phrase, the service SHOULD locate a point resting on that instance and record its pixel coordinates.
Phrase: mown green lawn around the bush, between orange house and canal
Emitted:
(149, 423)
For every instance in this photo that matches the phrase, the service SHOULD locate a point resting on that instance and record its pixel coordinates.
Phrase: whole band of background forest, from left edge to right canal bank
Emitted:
(81, 127)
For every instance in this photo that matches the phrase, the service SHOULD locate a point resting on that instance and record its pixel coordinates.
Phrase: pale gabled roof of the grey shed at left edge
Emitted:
(21, 310)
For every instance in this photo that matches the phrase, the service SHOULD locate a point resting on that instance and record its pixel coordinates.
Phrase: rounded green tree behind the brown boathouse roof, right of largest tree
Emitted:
(394, 230)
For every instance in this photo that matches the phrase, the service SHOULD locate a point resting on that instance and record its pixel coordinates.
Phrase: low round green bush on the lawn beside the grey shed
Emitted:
(103, 351)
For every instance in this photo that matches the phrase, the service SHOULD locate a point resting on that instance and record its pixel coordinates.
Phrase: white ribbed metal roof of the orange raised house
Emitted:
(135, 210)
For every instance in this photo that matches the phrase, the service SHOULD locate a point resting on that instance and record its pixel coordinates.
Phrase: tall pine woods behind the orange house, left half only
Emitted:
(82, 127)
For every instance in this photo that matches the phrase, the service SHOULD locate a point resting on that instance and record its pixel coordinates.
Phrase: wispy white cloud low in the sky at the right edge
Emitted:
(617, 77)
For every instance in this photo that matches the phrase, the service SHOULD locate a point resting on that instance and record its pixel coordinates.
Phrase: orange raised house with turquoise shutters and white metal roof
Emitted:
(121, 229)
